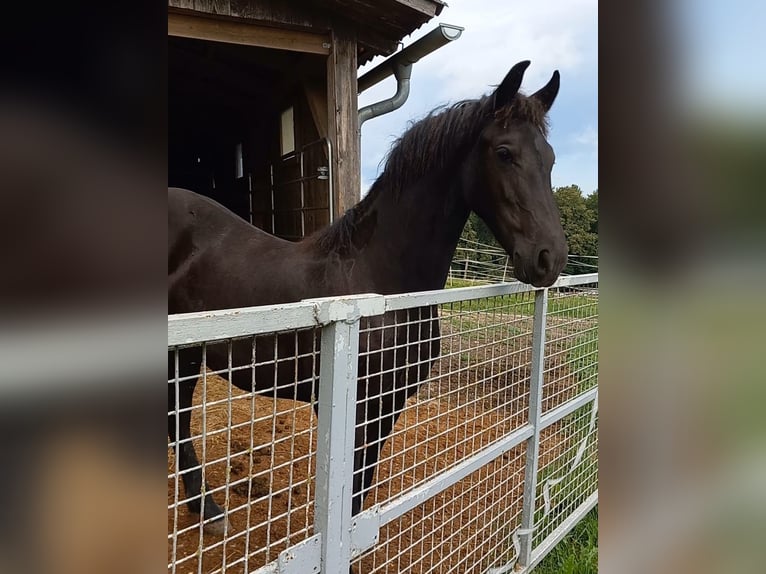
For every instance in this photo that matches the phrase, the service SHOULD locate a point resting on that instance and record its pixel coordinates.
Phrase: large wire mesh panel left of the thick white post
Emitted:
(257, 452)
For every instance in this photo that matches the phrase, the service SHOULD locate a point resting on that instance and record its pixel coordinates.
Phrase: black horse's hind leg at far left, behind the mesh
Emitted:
(189, 361)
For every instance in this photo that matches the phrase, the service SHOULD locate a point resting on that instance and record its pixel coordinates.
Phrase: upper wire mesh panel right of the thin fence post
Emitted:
(571, 344)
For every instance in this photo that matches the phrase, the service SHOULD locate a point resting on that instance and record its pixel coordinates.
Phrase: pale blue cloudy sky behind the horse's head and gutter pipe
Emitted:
(553, 34)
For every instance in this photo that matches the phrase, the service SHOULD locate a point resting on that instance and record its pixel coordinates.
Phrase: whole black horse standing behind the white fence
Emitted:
(488, 155)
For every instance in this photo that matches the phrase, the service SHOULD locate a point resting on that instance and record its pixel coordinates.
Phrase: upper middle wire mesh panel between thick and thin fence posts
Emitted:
(449, 386)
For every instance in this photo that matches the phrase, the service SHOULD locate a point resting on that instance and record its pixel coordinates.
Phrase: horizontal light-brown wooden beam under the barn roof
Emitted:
(234, 32)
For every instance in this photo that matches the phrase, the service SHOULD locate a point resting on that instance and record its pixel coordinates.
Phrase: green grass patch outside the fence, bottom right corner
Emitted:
(577, 553)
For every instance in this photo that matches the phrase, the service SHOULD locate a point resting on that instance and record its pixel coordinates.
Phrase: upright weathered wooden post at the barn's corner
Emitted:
(343, 120)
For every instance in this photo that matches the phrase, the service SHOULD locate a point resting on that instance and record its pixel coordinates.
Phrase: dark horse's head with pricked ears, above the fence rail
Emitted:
(512, 174)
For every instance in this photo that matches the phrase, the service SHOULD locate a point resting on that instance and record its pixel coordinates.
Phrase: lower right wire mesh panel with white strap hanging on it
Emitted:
(568, 469)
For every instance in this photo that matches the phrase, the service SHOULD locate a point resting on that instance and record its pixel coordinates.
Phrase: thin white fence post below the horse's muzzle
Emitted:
(526, 531)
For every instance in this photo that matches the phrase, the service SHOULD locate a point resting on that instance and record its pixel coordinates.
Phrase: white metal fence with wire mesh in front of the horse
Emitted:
(491, 460)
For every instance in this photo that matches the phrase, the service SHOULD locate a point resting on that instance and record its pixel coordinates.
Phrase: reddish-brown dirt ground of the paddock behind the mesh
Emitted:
(479, 401)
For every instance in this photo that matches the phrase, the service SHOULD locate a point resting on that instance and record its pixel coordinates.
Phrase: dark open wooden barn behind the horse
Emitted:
(262, 101)
